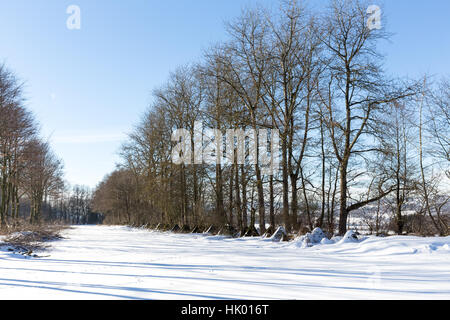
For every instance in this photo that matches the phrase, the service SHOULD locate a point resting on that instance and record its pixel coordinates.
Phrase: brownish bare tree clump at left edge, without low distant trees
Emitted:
(30, 172)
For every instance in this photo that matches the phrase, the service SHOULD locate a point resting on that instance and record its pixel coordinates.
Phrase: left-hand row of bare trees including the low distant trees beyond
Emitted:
(32, 185)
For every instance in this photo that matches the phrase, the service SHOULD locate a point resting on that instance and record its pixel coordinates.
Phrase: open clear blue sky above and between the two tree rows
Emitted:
(89, 87)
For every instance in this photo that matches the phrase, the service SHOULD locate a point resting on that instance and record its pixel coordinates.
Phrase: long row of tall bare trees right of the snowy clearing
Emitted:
(354, 141)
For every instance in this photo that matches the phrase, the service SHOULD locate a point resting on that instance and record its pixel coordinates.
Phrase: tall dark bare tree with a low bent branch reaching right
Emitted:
(356, 92)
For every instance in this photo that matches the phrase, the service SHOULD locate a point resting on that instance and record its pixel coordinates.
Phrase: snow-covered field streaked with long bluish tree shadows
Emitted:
(99, 262)
